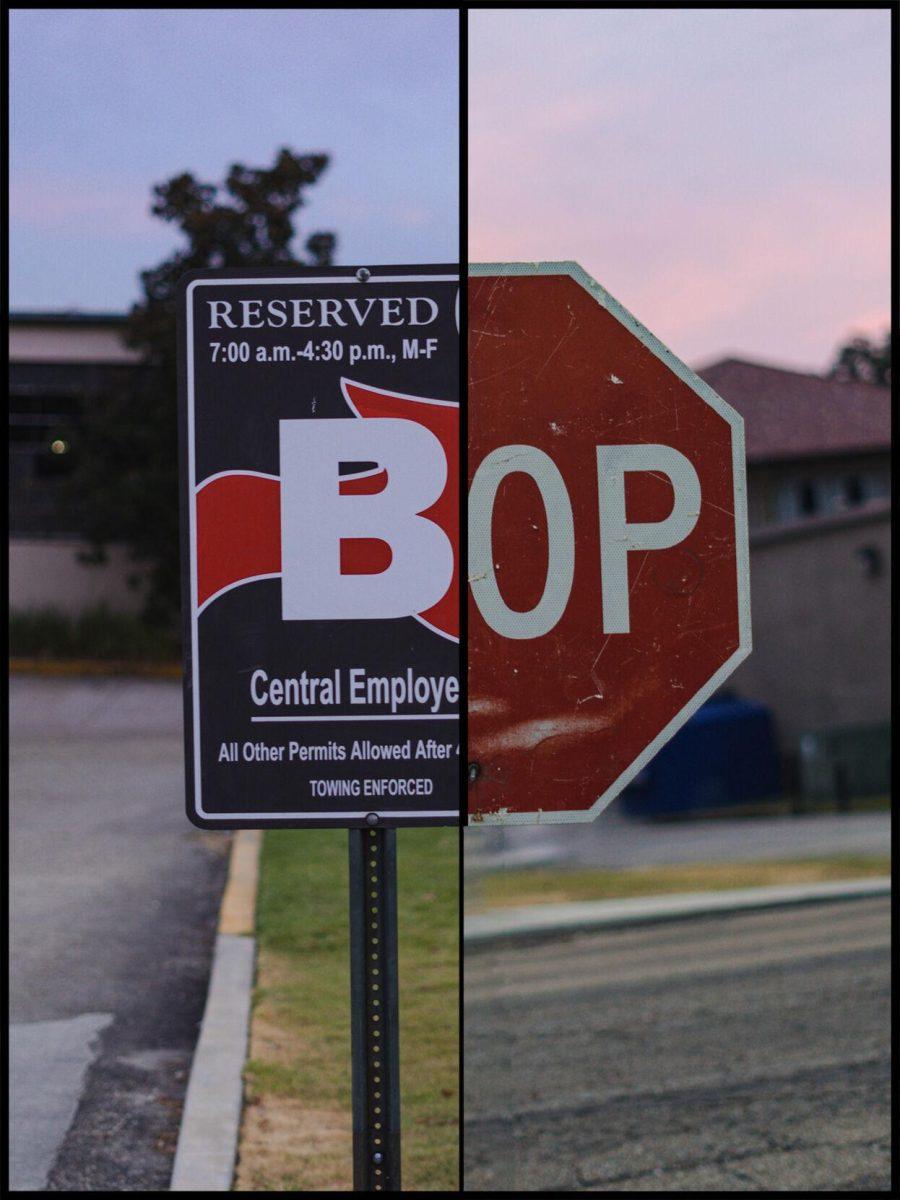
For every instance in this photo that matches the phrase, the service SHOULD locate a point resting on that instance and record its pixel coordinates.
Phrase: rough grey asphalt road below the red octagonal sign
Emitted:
(741, 1054)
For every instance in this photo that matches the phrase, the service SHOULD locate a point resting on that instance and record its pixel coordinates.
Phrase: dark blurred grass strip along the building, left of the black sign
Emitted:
(97, 634)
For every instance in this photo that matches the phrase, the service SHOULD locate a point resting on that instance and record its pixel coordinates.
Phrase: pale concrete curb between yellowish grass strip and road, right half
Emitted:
(537, 922)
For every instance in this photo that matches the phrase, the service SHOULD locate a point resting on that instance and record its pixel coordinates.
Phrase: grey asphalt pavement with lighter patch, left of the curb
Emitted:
(115, 899)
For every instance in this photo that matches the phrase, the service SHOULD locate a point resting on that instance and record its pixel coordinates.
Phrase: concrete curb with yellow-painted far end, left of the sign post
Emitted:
(211, 1120)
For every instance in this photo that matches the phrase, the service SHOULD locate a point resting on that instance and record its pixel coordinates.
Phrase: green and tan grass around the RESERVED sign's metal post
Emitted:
(301, 1049)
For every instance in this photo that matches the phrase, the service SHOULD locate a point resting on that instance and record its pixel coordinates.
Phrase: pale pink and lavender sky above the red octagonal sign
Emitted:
(724, 173)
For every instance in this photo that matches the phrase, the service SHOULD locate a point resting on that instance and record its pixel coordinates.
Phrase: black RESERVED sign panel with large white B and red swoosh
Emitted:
(320, 527)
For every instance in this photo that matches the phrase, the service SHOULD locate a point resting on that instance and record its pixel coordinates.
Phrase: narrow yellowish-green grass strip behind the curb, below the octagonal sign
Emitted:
(559, 885)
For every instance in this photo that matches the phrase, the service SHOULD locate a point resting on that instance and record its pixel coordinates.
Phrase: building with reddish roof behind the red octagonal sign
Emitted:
(819, 491)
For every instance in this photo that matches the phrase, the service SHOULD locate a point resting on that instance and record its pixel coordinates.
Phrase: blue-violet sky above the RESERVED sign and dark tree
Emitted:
(106, 103)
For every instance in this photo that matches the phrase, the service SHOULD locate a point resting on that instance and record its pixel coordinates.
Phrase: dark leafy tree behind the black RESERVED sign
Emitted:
(127, 481)
